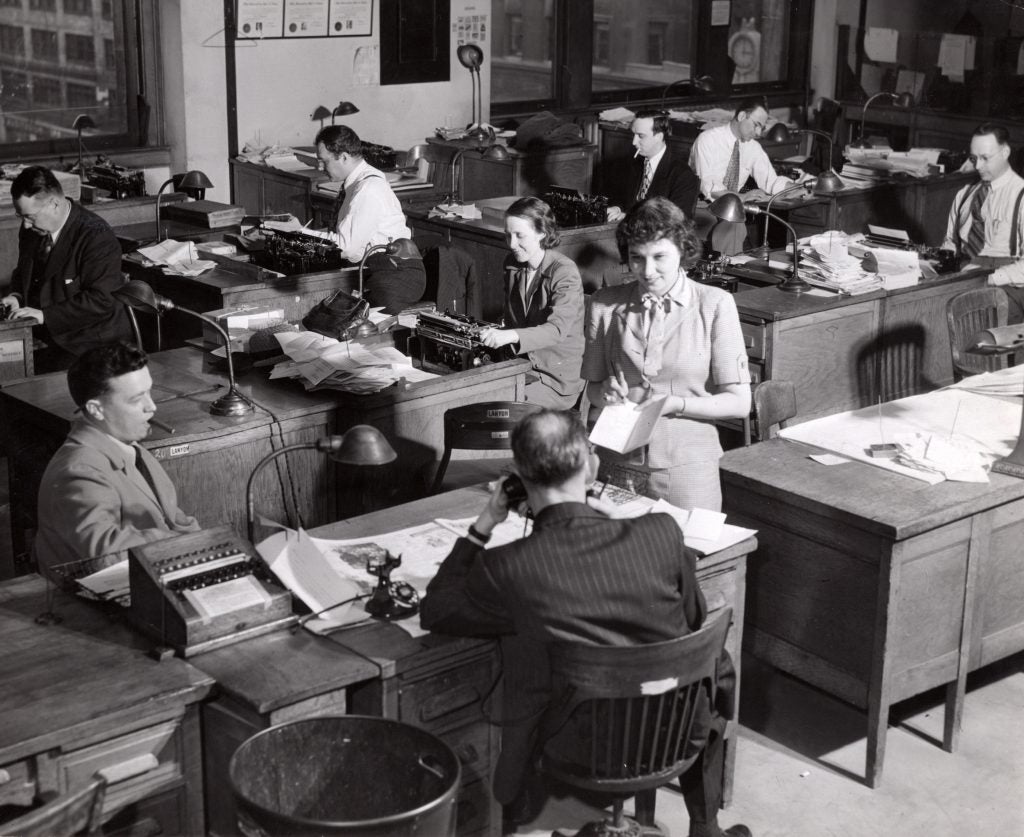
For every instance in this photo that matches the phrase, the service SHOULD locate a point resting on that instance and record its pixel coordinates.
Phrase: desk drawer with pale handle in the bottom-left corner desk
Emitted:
(138, 766)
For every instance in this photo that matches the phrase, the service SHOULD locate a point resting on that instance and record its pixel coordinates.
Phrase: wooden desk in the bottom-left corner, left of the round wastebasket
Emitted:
(80, 697)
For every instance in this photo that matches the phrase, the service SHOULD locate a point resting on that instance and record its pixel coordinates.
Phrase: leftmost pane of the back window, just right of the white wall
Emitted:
(524, 44)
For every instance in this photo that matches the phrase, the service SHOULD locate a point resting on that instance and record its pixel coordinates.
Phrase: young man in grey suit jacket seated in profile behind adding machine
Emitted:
(103, 492)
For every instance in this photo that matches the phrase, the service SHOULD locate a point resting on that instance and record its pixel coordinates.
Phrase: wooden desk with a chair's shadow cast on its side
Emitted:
(844, 352)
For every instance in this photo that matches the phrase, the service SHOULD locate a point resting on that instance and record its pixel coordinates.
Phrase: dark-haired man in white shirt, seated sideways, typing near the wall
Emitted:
(367, 214)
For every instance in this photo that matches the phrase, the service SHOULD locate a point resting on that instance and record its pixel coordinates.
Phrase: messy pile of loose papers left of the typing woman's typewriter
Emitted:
(323, 363)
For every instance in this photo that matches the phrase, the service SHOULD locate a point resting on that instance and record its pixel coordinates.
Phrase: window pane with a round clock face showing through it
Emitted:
(759, 40)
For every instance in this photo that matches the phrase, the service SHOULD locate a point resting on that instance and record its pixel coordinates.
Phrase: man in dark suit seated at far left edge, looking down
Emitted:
(69, 263)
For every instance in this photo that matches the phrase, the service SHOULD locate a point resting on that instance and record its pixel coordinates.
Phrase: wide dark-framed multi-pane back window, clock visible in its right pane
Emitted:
(580, 54)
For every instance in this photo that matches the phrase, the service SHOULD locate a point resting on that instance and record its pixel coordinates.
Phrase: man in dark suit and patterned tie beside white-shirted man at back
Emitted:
(659, 174)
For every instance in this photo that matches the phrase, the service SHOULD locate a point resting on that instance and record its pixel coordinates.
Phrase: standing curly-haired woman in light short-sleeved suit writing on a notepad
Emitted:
(665, 336)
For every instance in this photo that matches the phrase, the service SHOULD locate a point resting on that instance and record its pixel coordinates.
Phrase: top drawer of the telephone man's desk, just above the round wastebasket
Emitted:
(447, 699)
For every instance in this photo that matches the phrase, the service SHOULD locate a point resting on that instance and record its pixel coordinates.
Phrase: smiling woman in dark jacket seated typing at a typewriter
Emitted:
(543, 312)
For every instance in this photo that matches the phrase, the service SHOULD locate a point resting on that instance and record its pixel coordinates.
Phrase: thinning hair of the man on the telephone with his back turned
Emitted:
(550, 447)
